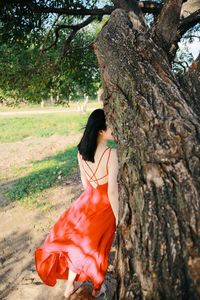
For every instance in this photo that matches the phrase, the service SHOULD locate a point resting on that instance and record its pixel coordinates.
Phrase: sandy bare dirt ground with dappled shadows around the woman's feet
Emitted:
(23, 229)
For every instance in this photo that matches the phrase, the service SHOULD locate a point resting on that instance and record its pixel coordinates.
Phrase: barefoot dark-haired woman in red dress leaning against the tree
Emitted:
(79, 244)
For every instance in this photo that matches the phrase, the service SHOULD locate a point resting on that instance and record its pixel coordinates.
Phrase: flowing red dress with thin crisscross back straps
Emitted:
(81, 238)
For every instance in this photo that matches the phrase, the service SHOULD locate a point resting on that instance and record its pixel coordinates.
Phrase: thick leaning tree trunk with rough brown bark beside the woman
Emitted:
(158, 137)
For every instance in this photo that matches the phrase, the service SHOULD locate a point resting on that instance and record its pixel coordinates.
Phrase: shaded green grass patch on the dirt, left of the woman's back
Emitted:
(46, 173)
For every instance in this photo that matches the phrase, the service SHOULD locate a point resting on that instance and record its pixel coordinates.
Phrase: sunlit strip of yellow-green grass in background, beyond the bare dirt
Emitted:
(17, 128)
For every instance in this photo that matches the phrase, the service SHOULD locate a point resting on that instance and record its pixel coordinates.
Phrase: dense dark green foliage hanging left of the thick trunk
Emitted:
(28, 74)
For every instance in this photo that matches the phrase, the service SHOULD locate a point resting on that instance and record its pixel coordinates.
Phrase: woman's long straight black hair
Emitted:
(88, 144)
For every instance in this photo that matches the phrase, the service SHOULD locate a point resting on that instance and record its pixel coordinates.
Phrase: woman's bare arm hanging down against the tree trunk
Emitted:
(112, 183)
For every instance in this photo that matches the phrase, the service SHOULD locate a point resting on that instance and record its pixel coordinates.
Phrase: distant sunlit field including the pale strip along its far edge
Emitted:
(16, 128)
